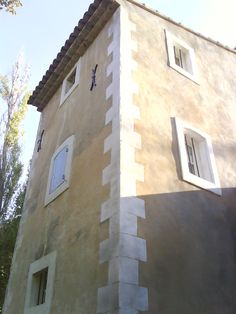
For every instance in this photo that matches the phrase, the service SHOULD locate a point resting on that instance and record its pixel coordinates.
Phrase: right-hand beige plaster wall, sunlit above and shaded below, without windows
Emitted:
(190, 232)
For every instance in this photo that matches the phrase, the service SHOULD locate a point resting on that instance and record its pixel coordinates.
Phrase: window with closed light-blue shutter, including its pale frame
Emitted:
(59, 173)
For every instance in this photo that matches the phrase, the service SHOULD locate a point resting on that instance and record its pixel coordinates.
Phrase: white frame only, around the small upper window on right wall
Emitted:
(173, 41)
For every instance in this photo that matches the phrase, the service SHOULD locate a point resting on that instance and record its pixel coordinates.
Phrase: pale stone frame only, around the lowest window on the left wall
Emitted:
(48, 261)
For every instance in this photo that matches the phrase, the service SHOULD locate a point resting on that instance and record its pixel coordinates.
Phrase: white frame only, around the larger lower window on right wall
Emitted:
(212, 185)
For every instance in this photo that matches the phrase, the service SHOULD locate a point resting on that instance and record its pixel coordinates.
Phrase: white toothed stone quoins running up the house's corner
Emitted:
(123, 249)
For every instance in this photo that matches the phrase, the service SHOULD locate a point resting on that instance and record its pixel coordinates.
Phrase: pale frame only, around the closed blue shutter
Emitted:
(50, 196)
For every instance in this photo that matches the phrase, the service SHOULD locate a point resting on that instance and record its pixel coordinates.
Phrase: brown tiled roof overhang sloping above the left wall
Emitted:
(98, 14)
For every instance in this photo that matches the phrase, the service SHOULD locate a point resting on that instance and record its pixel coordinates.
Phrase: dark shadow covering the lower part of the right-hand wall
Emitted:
(191, 249)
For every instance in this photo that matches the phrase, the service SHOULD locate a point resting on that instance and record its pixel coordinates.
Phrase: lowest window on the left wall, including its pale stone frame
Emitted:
(40, 285)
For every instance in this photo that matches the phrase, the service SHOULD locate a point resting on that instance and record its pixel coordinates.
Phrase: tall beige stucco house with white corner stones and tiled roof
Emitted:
(131, 202)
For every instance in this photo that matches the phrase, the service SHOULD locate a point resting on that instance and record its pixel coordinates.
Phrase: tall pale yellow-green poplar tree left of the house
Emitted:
(14, 94)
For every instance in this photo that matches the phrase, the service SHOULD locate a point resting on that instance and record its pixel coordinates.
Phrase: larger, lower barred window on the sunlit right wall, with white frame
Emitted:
(196, 157)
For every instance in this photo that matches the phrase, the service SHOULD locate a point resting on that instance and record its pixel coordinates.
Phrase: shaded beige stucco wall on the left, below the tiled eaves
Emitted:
(69, 225)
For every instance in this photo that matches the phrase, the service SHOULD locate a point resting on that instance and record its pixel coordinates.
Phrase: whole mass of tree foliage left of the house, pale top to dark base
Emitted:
(14, 97)
